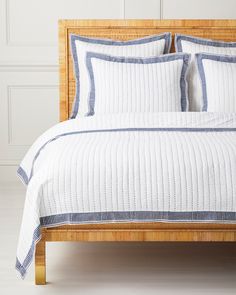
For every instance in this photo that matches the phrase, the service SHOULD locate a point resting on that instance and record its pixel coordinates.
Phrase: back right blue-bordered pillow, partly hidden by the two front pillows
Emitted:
(195, 45)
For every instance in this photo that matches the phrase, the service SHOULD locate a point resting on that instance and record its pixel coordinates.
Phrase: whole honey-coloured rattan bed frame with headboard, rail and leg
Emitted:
(125, 30)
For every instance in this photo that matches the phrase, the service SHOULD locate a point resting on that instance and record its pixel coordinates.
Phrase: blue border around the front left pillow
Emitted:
(136, 60)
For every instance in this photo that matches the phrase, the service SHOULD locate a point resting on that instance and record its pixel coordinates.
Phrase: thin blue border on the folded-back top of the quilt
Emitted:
(168, 129)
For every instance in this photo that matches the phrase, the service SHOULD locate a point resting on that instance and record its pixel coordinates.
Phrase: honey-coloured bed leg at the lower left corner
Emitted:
(40, 262)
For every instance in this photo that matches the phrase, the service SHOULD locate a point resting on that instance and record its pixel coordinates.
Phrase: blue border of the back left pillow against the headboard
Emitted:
(74, 38)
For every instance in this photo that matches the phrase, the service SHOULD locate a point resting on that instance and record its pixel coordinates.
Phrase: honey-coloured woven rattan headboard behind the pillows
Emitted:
(125, 30)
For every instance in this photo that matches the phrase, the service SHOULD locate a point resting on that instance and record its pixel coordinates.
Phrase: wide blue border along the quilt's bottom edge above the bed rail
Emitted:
(121, 216)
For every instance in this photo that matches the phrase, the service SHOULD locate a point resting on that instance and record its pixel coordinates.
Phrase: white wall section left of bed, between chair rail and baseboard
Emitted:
(24, 90)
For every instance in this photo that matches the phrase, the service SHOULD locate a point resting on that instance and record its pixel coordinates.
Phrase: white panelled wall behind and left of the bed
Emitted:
(29, 98)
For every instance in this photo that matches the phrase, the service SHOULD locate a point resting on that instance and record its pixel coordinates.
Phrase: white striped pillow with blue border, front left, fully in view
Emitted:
(129, 84)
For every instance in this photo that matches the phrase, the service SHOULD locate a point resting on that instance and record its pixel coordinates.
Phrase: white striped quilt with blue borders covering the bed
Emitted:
(129, 167)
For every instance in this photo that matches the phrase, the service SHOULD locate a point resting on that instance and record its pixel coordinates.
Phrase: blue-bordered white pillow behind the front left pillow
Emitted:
(148, 46)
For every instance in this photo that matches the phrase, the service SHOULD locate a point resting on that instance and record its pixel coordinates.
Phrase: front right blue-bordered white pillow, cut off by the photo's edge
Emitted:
(218, 78)
